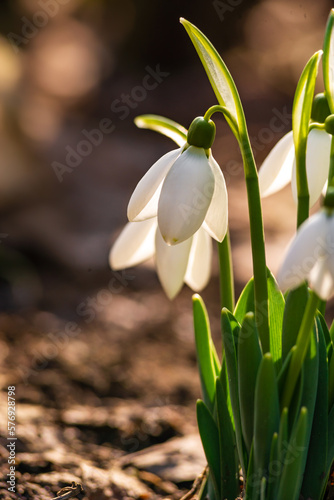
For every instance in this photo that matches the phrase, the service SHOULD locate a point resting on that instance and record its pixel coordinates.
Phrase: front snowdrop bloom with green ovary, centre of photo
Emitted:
(184, 189)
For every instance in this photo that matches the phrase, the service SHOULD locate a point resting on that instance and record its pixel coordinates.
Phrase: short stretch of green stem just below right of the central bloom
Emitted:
(226, 274)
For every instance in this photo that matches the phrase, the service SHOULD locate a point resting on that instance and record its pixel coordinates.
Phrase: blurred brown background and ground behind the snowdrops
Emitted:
(102, 362)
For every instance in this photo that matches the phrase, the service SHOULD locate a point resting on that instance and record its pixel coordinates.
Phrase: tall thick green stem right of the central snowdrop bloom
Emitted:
(257, 242)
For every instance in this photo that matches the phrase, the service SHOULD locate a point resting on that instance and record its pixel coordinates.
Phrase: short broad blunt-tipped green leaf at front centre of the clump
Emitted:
(266, 412)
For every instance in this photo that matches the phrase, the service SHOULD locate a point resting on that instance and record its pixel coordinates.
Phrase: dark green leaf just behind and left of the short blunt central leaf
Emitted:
(249, 359)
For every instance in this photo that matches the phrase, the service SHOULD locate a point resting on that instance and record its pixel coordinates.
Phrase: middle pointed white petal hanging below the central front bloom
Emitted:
(172, 264)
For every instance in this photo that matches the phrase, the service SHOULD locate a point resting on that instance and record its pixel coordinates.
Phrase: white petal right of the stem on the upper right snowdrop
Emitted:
(317, 164)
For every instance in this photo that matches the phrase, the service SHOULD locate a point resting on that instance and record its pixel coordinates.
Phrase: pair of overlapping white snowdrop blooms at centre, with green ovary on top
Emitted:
(174, 210)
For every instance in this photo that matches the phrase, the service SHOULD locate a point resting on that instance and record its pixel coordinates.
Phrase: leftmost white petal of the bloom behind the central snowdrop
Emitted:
(135, 244)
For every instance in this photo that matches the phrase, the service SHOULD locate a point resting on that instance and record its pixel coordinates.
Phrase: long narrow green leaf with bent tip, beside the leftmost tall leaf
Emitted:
(230, 329)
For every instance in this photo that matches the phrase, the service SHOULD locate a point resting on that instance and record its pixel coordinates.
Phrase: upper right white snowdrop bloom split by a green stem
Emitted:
(279, 168)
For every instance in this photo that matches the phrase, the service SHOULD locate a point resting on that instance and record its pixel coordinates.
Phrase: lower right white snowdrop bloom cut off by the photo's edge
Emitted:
(310, 256)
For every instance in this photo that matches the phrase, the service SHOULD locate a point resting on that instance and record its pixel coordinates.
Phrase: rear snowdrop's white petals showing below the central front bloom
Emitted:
(188, 262)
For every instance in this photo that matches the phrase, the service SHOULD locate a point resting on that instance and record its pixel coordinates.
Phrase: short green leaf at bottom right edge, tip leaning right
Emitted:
(292, 473)
